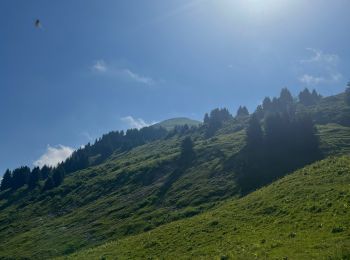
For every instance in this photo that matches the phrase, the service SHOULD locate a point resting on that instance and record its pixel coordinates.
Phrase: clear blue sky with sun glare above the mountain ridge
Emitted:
(97, 66)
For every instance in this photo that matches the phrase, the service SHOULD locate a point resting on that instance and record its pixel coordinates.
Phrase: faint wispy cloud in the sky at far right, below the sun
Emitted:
(320, 68)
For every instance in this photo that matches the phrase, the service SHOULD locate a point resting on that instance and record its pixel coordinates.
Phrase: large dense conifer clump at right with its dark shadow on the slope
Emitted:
(279, 139)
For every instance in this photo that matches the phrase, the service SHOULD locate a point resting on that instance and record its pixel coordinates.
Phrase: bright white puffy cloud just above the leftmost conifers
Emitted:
(54, 155)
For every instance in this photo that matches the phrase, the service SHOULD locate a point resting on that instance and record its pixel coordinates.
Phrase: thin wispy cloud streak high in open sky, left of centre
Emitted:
(102, 68)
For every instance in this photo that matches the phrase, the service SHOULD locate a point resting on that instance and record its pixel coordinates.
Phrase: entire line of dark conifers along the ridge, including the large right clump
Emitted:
(275, 130)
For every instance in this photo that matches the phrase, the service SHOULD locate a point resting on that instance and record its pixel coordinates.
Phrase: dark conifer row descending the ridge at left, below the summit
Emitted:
(89, 155)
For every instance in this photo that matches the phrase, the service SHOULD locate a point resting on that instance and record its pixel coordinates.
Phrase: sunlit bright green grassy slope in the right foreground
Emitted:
(302, 216)
